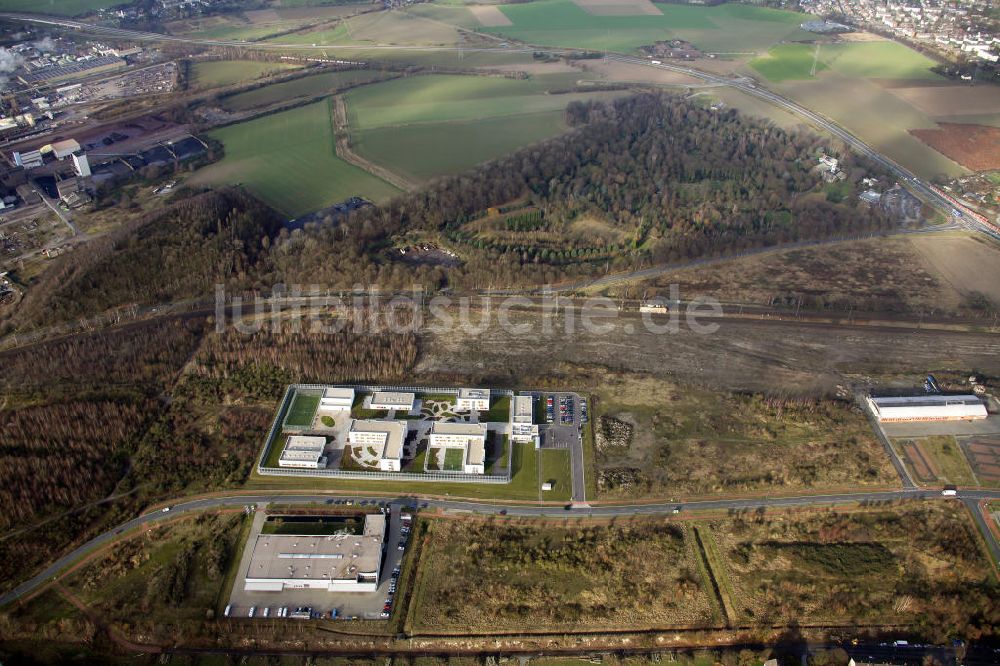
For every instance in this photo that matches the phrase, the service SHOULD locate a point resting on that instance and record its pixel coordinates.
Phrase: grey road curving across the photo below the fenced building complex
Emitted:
(970, 497)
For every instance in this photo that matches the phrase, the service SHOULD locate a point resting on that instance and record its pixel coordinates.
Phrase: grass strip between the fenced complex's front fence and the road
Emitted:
(523, 485)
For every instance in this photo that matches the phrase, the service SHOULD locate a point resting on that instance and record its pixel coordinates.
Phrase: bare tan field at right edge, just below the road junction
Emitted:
(966, 264)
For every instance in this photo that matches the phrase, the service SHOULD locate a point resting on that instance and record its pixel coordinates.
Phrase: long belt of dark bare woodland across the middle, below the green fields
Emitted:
(666, 178)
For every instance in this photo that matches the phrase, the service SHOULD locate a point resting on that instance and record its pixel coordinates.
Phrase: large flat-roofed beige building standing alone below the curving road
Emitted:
(336, 563)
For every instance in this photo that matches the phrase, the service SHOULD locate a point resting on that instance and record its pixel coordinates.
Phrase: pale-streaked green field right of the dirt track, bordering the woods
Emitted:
(427, 126)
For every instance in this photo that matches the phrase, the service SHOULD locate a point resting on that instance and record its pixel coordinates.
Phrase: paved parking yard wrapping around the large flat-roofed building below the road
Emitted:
(348, 605)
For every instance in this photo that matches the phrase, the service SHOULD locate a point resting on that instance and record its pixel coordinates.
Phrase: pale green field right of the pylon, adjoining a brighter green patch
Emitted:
(878, 60)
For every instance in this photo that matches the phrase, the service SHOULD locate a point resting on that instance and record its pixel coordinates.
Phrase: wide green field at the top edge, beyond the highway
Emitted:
(727, 28)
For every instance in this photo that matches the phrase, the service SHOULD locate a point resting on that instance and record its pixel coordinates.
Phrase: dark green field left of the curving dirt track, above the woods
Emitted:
(288, 160)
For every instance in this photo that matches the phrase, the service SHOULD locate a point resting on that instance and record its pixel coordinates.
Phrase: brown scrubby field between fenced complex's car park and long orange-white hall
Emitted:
(689, 442)
